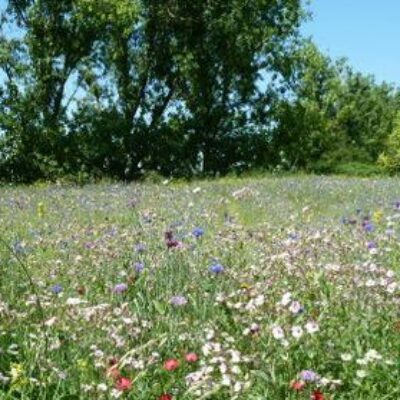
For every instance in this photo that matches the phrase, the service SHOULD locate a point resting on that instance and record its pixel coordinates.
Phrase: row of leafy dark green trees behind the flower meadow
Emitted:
(117, 88)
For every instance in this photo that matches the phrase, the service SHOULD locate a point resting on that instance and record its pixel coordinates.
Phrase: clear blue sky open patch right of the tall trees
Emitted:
(366, 32)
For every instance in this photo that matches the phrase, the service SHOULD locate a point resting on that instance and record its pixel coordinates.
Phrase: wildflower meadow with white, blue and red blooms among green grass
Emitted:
(310, 281)
